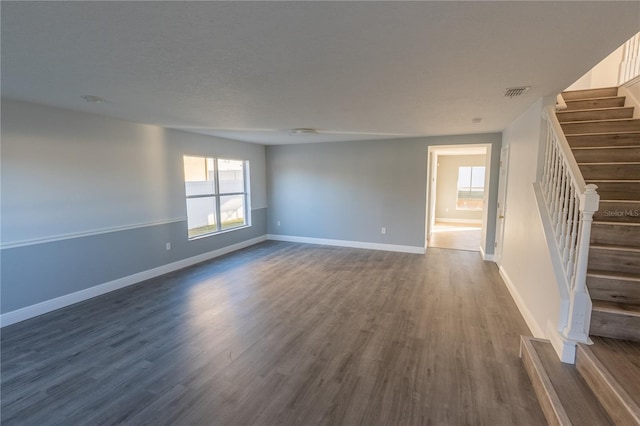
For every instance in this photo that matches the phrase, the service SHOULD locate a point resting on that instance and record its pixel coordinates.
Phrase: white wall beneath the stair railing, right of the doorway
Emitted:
(526, 262)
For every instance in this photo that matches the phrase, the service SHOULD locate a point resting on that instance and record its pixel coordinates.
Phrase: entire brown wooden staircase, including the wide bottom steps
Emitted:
(603, 387)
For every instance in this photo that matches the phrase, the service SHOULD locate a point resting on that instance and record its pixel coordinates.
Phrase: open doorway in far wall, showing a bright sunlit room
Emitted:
(456, 212)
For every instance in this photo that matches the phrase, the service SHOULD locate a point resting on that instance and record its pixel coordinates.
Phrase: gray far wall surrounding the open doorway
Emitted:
(348, 191)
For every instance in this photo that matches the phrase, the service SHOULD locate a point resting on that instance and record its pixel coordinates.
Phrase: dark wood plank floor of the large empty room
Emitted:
(281, 334)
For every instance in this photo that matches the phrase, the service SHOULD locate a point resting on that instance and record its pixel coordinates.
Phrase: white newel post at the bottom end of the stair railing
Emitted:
(580, 303)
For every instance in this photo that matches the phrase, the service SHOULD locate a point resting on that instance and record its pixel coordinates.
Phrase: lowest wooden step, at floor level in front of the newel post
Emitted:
(564, 396)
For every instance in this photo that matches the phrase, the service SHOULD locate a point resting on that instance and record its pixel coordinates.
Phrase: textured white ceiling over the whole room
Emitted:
(354, 70)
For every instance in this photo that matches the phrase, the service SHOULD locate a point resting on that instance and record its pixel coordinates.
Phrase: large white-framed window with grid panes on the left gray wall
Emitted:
(216, 191)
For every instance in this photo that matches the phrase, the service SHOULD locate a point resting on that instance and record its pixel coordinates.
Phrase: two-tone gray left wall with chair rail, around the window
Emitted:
(88, 199)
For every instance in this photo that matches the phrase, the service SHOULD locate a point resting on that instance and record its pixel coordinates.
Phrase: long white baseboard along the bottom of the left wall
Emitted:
(88, 293)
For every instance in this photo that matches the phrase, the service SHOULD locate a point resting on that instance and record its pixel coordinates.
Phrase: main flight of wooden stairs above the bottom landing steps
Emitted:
(605, 140)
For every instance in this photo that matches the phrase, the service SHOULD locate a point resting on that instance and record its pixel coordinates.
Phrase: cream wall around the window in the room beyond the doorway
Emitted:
(447, 187)
